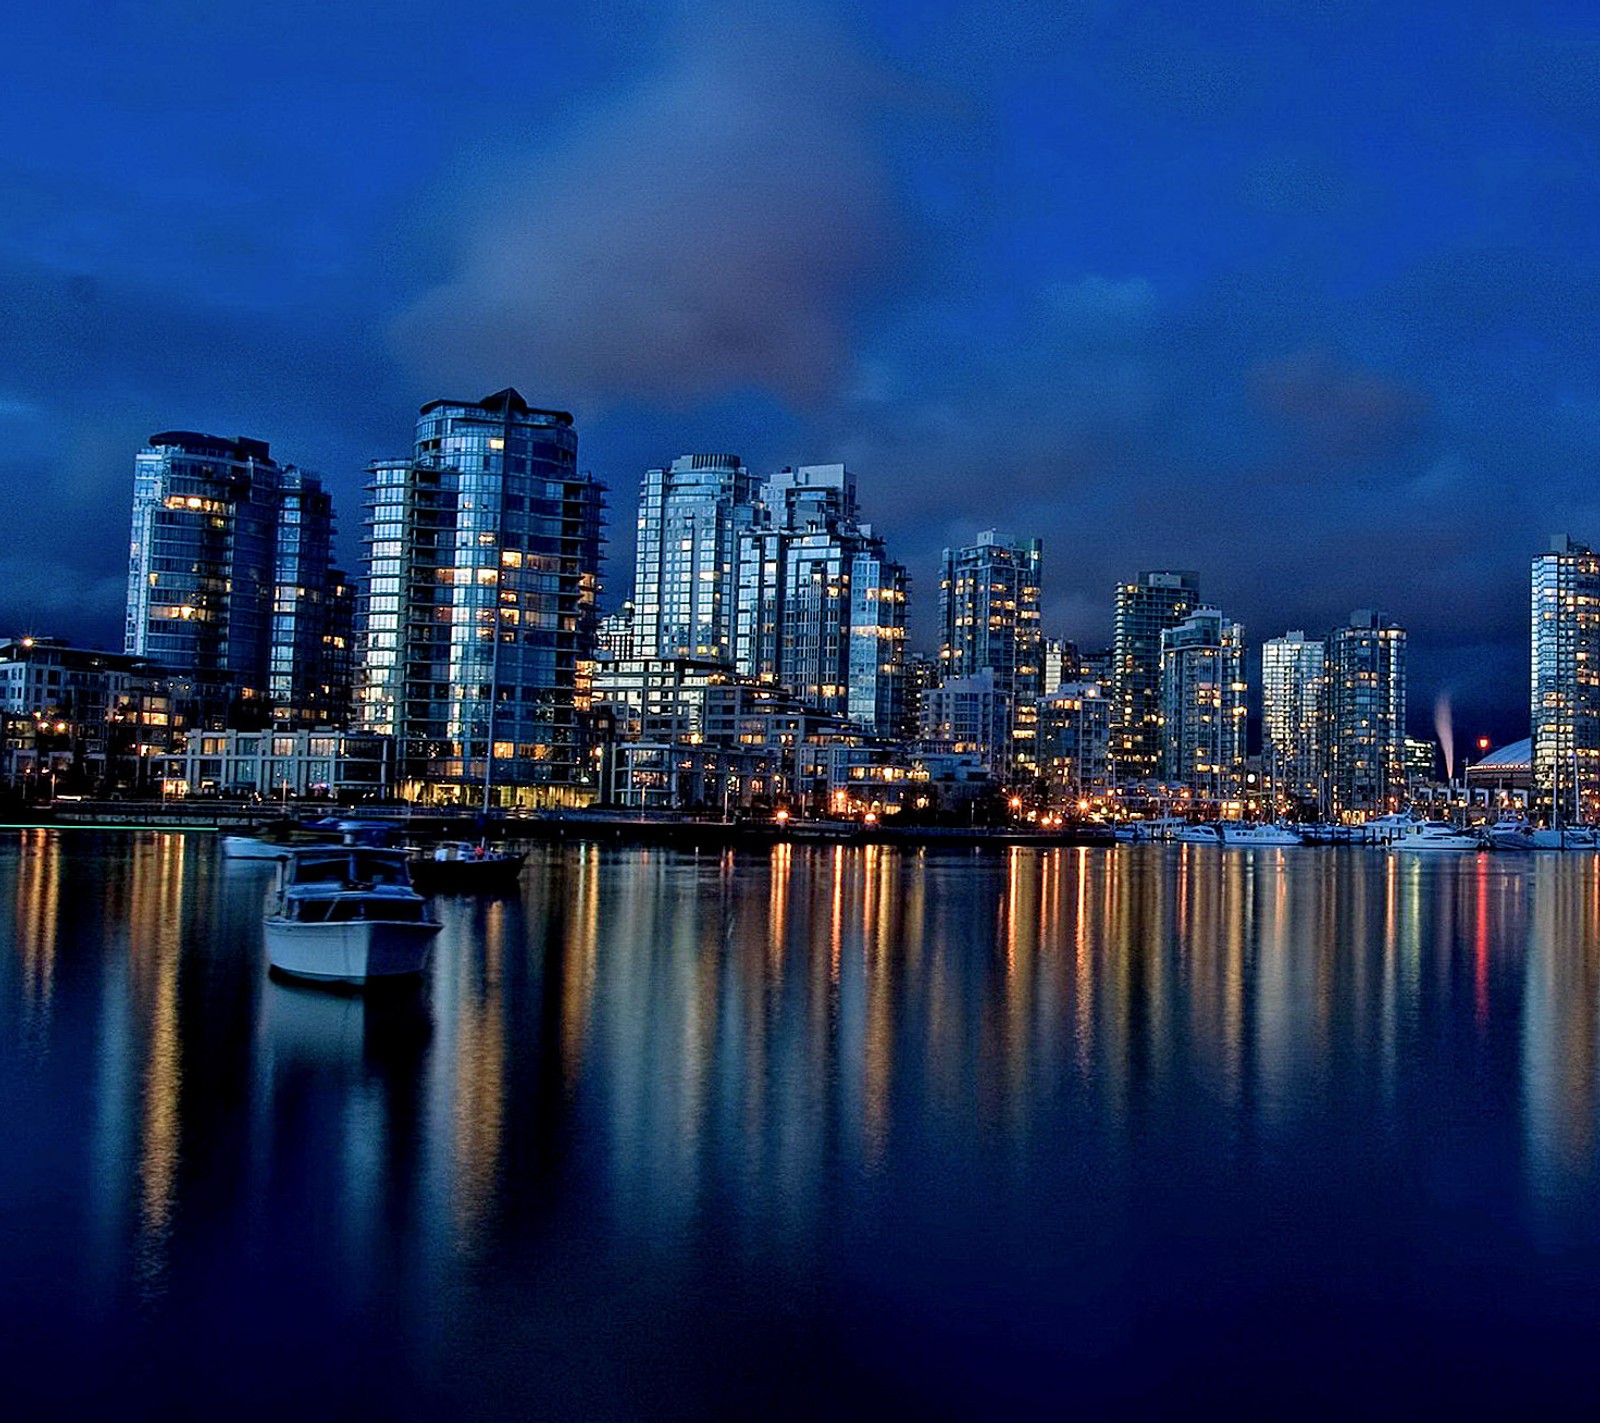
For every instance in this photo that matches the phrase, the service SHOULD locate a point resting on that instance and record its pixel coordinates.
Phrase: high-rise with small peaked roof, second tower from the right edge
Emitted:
(1366, 671)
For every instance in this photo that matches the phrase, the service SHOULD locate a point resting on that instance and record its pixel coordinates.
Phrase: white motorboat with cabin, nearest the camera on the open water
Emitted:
(348, 915)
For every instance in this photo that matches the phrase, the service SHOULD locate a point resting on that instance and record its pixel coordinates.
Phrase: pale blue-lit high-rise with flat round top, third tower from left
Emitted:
(686, 572)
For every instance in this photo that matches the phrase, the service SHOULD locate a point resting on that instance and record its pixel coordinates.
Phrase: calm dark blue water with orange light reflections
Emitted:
(1100, 1132)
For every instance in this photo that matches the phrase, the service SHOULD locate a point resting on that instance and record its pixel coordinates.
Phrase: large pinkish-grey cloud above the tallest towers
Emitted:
(711, 230)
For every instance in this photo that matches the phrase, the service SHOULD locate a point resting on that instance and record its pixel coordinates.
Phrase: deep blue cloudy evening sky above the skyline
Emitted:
(1302, 295)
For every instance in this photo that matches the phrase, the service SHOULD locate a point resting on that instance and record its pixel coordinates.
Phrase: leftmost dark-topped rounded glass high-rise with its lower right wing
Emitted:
(231, 580)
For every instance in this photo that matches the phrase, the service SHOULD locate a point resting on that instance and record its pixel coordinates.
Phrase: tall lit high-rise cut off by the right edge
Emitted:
(1564, 705)
